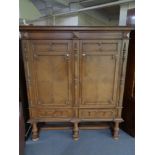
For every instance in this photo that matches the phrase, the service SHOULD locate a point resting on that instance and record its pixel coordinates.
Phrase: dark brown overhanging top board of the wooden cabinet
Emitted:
(75, 28)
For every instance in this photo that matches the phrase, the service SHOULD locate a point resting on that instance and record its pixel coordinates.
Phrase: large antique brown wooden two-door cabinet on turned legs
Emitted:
(75, 74)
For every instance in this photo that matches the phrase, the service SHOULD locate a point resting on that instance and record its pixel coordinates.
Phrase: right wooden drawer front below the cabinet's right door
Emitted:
(96, 114)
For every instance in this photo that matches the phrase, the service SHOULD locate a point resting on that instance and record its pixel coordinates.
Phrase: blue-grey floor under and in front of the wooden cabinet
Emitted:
(91, 142)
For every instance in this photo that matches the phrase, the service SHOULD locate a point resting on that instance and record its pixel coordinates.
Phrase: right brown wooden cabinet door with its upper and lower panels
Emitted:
(99, 72)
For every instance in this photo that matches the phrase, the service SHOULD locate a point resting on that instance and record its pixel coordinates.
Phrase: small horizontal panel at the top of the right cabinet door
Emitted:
(100, 45)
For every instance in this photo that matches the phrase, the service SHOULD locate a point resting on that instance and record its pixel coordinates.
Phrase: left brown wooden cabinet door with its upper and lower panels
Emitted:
(52, 72)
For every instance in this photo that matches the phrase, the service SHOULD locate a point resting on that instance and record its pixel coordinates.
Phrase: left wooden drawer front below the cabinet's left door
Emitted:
(52, 113)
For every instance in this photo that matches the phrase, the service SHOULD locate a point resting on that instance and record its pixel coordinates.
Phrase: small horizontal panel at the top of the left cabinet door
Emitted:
(51, 45)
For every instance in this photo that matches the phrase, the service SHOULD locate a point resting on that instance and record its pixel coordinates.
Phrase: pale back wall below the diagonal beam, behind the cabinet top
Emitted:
(89, 18)
